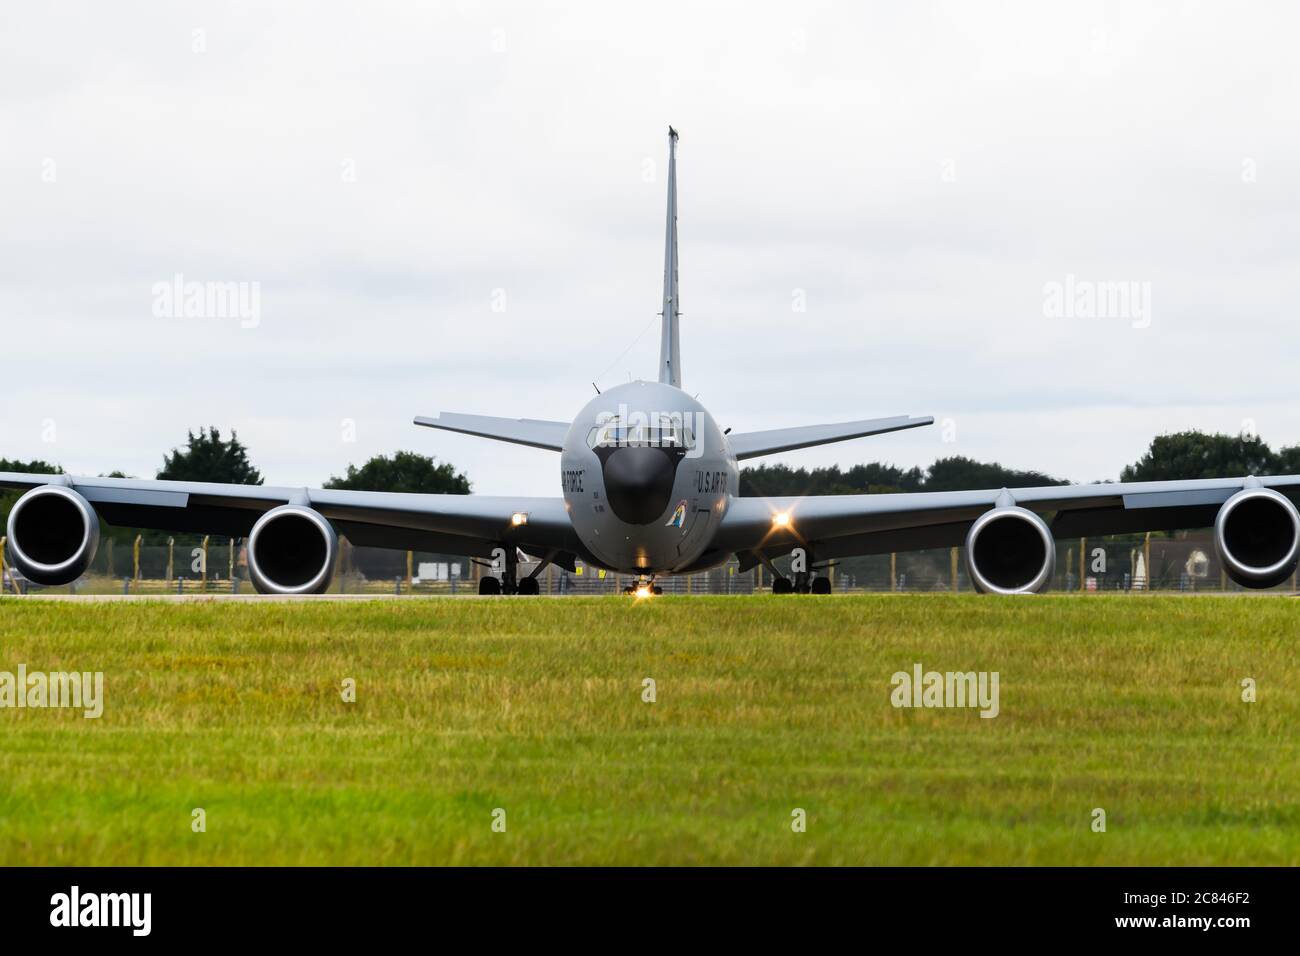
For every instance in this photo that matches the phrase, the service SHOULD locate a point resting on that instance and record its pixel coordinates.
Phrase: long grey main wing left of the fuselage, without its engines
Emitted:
(449, 524)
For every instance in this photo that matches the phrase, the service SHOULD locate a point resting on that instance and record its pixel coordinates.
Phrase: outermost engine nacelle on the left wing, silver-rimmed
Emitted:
(54, 535)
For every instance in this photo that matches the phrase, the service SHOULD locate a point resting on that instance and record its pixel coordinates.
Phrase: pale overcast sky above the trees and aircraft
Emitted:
(460, 207)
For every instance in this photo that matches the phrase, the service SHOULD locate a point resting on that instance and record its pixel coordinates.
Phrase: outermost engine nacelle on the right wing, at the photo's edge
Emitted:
(1258, 538)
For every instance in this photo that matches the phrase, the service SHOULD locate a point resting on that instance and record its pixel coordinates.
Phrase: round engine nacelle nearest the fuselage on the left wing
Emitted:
(292, 551)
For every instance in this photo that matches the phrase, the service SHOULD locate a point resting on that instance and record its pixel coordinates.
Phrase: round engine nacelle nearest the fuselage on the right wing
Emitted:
(1011, 551)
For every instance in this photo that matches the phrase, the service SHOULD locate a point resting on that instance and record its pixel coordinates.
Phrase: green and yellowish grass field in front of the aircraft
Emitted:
(1129, 704)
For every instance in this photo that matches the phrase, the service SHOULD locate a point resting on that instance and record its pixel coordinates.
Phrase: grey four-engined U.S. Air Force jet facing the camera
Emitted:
(649, 488)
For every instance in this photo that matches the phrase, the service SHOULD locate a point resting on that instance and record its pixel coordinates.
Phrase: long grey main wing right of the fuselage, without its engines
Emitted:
(842, 526)
